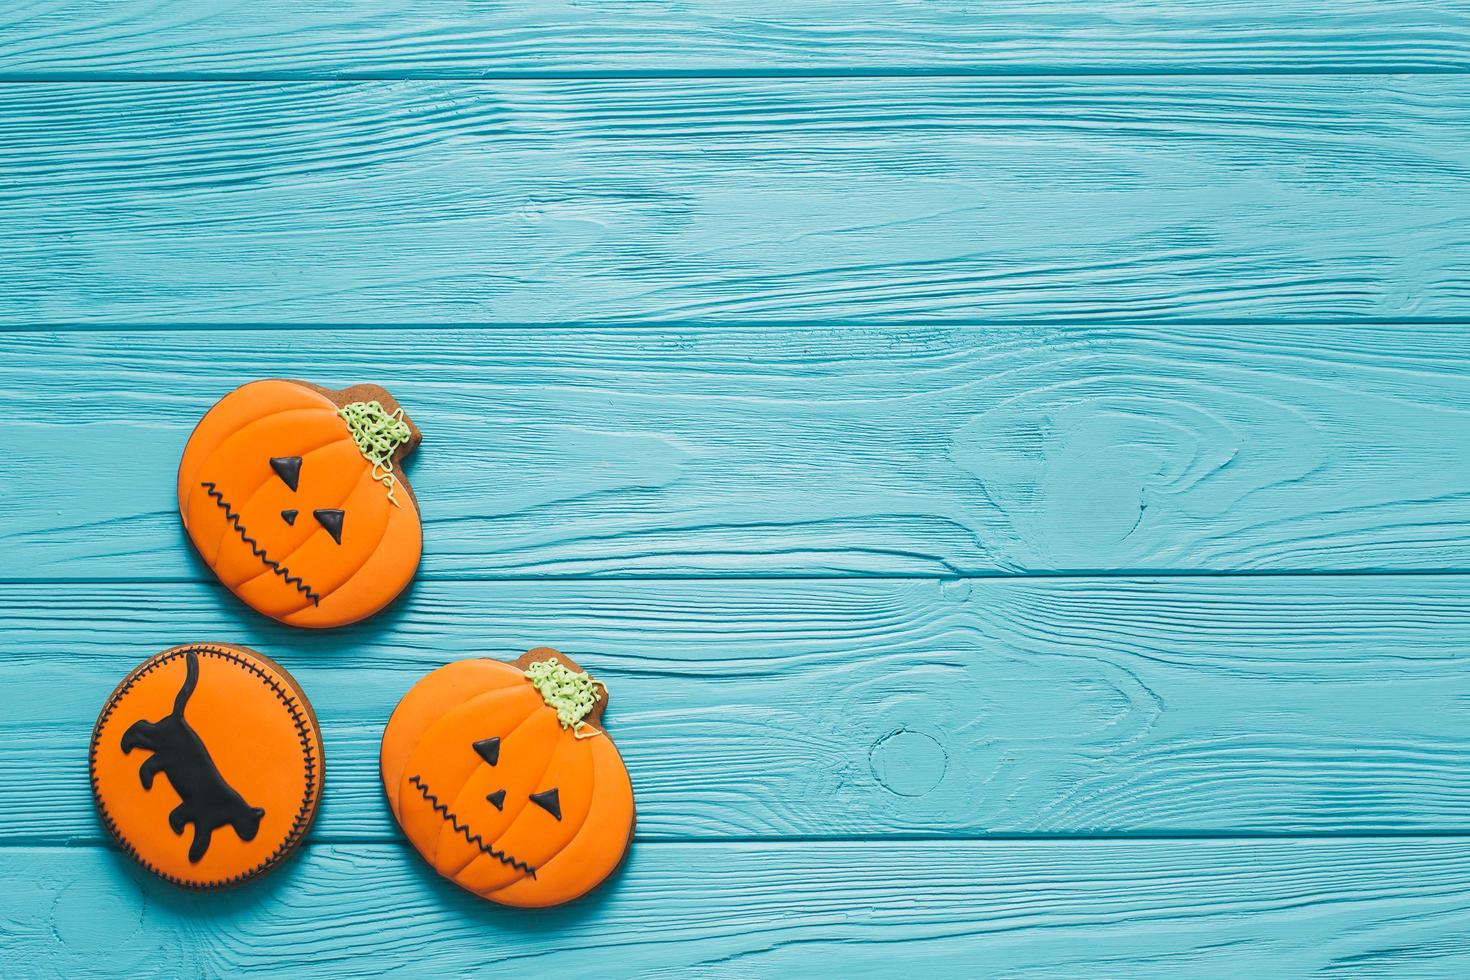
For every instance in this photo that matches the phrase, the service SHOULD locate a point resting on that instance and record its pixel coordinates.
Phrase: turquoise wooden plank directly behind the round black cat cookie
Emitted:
(800, 709)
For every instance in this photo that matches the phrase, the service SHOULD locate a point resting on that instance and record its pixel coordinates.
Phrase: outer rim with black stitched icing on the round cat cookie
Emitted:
(299, 721)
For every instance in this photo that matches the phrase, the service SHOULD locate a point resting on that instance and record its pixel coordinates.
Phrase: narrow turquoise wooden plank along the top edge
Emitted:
(452, 39)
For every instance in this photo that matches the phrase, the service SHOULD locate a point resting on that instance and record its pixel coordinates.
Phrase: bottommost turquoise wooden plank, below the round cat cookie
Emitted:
(1234, 909)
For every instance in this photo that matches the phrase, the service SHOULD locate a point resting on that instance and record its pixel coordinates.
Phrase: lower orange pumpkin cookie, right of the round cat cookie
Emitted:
(503, 779)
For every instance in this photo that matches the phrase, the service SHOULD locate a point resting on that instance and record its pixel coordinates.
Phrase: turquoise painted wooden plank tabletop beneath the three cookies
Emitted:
(1009, 462)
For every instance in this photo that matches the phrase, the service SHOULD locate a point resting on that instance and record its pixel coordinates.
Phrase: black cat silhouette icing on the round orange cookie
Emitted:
(207, 800)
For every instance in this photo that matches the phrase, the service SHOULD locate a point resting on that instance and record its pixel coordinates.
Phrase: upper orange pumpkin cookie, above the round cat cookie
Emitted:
(290, 494)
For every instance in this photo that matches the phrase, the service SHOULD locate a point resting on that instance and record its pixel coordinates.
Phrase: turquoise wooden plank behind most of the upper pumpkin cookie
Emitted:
(724, 452)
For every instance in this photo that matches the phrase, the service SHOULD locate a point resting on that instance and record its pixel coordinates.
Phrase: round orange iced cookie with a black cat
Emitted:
(214, 738)
